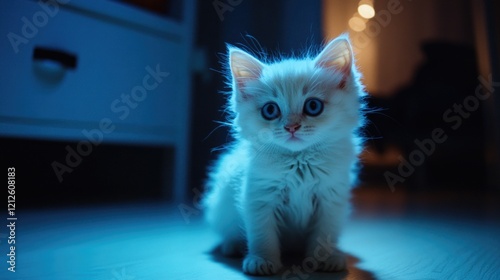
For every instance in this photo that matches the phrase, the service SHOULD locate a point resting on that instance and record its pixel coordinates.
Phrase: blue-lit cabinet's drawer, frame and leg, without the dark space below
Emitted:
(96, 71)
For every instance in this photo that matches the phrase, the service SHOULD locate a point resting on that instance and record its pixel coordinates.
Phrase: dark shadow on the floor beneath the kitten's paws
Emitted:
(295, 269)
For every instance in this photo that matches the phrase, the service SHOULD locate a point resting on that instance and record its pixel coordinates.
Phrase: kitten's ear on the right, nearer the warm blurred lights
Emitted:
(337, 56)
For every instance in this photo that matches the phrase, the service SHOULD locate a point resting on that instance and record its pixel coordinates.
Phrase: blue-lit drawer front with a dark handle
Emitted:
(124, 74)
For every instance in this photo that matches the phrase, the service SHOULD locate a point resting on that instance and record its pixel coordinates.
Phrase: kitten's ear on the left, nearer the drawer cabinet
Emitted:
(244, 68)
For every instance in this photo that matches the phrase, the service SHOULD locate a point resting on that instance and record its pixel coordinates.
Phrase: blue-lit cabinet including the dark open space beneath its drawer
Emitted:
(95, 100)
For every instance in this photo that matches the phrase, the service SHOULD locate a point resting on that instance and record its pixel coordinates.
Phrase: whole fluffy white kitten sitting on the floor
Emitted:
(285, 182)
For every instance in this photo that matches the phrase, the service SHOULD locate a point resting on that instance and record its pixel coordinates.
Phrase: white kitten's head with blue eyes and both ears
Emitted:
(296, 103)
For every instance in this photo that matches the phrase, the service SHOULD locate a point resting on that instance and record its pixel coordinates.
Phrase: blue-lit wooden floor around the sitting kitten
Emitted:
(391, 236)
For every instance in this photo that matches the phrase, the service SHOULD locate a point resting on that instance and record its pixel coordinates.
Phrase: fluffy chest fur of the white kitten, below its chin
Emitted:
(301, 181)
